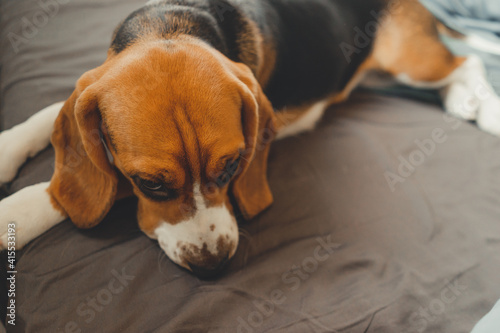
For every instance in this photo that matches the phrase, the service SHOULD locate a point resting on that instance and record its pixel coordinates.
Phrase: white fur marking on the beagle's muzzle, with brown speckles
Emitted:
(197, 231)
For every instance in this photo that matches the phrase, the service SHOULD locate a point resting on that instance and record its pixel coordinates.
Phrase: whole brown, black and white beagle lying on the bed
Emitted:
(192, 93)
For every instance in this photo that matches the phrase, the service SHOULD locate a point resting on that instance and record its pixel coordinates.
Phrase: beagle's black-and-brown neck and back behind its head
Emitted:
(303, 38)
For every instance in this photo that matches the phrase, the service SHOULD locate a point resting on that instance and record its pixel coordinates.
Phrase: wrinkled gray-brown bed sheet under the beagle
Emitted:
(341, 250)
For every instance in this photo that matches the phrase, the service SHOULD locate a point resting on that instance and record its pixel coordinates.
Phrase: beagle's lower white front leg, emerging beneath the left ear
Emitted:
(30, 212)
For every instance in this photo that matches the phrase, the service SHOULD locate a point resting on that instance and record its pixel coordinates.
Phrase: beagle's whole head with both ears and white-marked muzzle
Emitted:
(186, 127)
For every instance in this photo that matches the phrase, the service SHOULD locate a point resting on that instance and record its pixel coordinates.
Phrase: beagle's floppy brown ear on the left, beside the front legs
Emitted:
(84, 182)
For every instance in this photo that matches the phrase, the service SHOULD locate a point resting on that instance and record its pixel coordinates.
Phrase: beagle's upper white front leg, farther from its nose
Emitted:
(26, 140)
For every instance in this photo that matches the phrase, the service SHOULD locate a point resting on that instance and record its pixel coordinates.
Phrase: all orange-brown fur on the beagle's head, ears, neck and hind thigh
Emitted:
(160, 122)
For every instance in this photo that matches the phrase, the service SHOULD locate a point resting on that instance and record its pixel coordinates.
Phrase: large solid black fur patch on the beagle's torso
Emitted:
(308, 35)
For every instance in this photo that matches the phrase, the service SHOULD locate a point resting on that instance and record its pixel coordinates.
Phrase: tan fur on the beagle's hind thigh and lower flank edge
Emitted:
(407, 42)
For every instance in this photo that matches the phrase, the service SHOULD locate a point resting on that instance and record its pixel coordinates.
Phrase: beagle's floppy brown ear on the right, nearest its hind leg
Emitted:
(251, 189)
